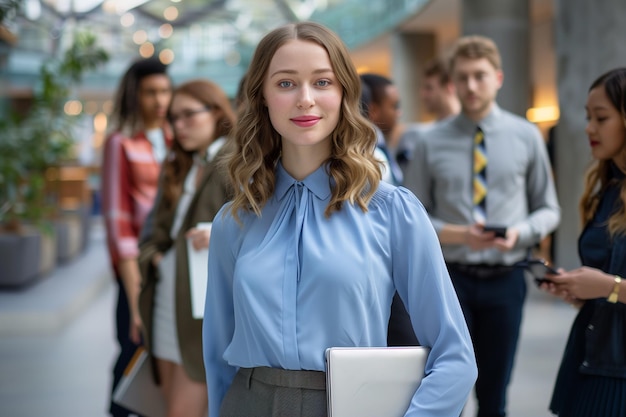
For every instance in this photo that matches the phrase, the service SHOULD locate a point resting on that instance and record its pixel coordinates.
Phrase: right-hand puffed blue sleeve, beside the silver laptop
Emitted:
(421, 278)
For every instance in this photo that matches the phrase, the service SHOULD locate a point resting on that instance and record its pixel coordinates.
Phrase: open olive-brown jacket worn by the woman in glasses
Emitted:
(212, 193)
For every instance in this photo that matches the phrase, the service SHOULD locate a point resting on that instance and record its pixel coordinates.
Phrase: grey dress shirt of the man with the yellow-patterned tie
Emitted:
(521, 192)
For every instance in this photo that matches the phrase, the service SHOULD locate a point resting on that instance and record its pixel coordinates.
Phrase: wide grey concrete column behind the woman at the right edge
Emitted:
(589, 41)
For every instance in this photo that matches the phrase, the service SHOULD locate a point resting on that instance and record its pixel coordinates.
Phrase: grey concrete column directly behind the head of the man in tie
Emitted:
(507, 23)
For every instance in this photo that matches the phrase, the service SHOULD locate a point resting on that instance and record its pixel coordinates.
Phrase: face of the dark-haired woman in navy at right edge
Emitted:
(605, 127)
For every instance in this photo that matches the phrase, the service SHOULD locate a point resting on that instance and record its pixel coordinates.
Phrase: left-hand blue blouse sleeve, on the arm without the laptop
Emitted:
(219, 321)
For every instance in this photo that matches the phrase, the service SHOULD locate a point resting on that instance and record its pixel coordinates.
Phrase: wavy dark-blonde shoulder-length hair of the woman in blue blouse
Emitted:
(257, 145)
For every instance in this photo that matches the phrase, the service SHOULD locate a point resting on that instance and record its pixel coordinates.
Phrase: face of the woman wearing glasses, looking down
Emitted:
(193, 122)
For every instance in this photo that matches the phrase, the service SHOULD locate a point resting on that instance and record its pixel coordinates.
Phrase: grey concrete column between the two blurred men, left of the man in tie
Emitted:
(410, 52)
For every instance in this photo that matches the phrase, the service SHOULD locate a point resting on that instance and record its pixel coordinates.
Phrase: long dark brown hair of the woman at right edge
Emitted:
(599, 176)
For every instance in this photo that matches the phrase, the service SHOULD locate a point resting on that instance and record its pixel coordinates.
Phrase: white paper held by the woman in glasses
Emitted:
(198, 271)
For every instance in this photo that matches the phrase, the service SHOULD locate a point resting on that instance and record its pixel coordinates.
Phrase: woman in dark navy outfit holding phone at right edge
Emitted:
(592, 377)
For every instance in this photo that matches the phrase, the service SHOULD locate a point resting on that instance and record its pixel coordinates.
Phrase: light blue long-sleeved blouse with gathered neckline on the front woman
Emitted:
(290, 283)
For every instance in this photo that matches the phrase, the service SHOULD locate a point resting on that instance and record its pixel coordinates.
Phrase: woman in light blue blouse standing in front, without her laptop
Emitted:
(313, 246)
